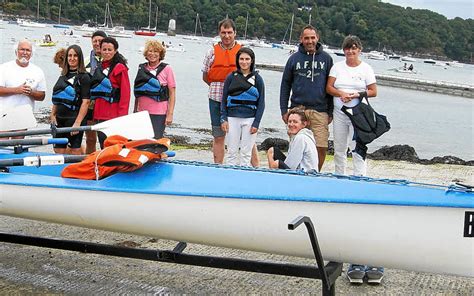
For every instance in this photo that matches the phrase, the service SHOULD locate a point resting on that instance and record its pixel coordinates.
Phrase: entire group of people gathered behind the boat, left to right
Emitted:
(313, 93)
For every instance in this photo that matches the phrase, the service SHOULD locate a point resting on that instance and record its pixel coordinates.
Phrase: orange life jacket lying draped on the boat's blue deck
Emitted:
(119, 155)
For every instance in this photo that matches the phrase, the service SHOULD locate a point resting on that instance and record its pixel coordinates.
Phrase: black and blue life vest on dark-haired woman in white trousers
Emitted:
(242, 91)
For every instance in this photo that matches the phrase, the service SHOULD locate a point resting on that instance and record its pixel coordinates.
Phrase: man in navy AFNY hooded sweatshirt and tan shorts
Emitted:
(305, 78)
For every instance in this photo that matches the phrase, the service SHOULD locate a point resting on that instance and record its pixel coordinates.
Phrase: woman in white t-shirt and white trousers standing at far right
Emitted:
(349, 80)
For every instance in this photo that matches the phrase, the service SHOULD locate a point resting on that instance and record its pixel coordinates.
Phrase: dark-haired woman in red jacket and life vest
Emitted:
(110, 85)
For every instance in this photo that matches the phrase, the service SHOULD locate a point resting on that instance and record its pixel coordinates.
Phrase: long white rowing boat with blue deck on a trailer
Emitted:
(389, 223)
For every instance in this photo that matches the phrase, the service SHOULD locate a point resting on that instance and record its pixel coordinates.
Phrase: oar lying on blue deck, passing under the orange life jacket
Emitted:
(50, 160)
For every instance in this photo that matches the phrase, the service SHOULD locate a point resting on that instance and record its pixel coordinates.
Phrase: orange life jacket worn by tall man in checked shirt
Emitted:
(224, 63)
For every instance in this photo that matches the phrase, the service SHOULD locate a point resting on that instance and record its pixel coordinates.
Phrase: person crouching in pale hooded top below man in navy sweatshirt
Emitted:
(302, 153)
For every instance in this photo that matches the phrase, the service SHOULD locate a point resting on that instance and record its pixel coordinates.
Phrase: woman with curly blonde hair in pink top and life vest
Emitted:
(155, 88)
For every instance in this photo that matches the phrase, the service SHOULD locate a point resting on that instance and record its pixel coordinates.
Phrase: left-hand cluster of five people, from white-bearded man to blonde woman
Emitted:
(91, 90)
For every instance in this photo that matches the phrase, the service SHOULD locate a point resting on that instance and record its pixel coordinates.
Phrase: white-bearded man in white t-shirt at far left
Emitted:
(21, 82)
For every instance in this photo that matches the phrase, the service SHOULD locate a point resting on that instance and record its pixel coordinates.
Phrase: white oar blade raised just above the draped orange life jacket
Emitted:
(134, 126)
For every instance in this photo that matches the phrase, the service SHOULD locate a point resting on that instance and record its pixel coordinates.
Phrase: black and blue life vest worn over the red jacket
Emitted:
(101, 86)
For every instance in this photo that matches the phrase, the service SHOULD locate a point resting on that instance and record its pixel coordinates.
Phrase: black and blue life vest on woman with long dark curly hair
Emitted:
(66, 92)
